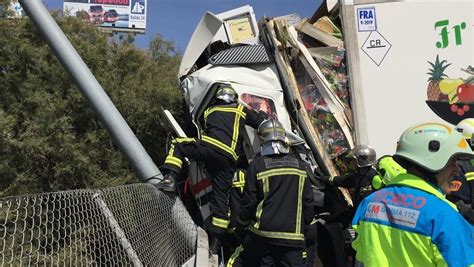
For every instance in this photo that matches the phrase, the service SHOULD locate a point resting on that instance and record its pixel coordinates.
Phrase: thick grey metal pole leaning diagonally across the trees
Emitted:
(92, 91)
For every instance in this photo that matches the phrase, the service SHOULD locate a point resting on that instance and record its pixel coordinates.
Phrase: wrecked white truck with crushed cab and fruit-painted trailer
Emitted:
(344, 77)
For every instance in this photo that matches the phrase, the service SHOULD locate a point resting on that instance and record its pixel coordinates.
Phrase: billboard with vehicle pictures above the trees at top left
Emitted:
(126, 15)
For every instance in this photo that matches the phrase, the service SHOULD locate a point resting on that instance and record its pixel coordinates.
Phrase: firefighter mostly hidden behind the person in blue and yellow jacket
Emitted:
(359, 183)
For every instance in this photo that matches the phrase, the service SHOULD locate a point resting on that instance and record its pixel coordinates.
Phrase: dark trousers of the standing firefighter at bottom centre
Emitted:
(256, 251)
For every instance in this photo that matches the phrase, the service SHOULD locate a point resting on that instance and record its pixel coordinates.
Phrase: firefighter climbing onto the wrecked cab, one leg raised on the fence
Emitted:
(219, 148)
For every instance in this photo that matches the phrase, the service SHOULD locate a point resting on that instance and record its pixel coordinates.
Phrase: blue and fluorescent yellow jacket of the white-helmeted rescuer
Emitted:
(410, 223)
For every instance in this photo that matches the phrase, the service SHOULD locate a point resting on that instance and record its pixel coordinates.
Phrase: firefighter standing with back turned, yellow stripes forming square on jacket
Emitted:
(277, 206)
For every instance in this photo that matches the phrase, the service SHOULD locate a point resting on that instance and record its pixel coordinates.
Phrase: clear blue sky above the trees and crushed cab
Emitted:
(176, 19)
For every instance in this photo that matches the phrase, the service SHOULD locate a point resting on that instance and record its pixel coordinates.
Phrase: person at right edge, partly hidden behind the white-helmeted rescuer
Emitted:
(462, 186)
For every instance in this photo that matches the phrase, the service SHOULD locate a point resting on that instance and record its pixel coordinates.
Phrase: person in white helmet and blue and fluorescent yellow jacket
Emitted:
(410, 222)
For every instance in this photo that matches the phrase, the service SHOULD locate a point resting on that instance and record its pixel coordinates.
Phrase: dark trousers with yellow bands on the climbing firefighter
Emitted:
(220, 169)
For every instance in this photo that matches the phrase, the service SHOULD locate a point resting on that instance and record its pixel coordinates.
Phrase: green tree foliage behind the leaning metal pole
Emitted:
(49, 137)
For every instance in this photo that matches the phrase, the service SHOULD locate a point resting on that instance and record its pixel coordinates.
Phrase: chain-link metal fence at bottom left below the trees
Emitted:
(127, 225)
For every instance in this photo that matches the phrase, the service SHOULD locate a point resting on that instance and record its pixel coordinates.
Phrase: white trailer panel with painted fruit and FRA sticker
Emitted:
(409, 62)
